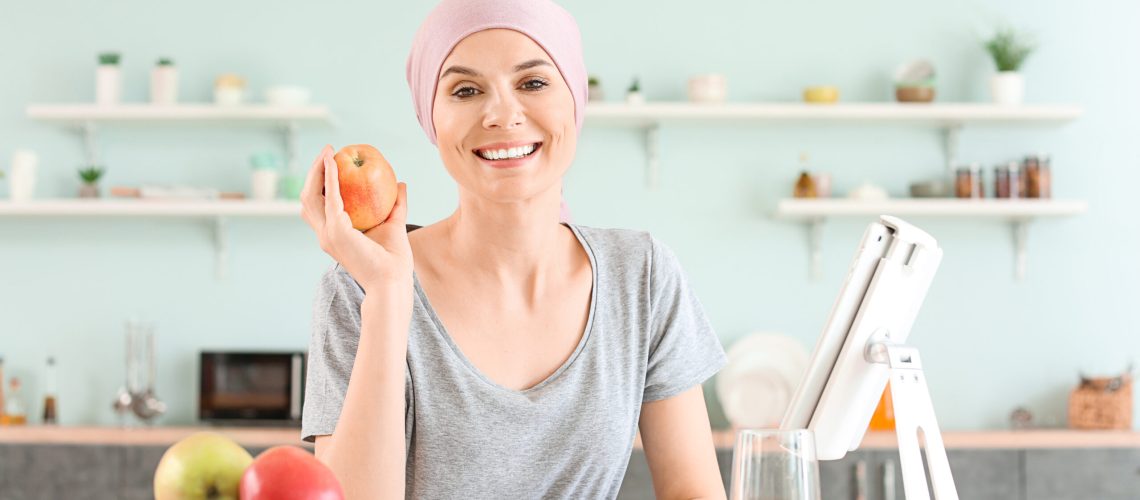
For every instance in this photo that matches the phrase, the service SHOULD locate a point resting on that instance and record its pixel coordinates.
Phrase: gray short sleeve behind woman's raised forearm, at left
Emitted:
(332, 351)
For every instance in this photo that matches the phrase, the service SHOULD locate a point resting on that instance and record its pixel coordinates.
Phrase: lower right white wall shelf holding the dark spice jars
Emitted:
(1019, 214)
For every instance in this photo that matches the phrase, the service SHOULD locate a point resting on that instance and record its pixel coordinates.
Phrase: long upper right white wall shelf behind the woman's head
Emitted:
(949, 118)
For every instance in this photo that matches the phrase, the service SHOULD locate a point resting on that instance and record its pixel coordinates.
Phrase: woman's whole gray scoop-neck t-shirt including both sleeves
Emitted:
(569, 437)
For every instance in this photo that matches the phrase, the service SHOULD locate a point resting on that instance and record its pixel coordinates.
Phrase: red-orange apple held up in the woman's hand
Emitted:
(368, 185)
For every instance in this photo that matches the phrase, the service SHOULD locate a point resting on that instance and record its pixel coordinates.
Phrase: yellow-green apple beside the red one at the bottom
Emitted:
(201, 466)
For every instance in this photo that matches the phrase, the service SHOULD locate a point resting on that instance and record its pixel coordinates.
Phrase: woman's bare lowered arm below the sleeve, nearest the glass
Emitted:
(679, 447)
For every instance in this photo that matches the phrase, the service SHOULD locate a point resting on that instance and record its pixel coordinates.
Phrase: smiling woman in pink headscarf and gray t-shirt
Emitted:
(516, 357)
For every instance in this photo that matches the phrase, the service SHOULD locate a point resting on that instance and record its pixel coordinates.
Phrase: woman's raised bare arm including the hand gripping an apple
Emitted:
(367, 450)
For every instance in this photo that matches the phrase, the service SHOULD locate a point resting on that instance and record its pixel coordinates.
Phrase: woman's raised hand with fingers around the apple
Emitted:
(378, 259)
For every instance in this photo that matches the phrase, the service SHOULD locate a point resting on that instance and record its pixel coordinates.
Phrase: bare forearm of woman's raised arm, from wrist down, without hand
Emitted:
(368, 450)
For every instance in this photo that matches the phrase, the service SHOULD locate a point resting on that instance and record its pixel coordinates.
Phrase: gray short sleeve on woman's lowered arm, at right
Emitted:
(685, 350)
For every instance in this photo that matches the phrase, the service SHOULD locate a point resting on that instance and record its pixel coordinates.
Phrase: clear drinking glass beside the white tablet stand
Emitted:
(775, 465)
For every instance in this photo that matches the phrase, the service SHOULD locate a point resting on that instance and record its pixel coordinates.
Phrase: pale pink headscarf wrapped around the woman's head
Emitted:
(452, 21)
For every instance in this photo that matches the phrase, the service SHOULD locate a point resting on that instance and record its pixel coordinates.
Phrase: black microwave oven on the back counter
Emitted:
(247, 388)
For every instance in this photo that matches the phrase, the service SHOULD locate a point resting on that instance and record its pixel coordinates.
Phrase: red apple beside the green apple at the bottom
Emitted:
(290, 473)
